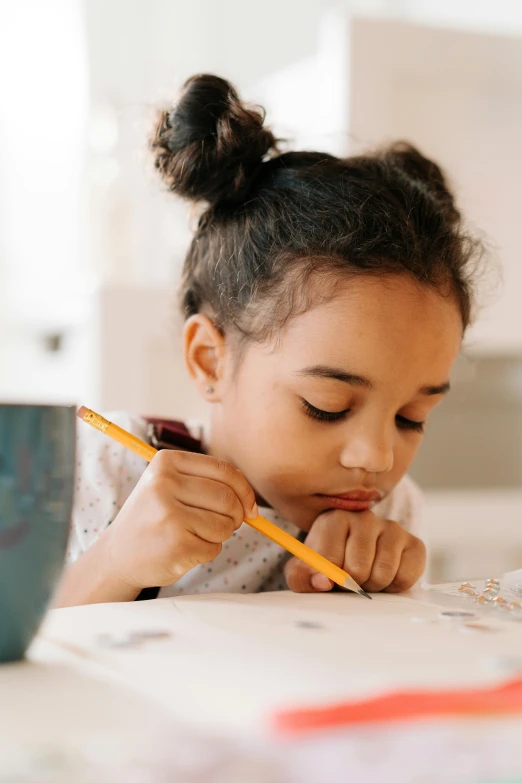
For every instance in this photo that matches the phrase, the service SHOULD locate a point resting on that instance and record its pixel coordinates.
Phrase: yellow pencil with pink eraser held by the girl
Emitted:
(271, 531)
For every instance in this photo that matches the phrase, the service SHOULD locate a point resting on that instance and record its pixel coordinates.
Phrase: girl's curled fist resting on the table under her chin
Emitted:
(378, 554)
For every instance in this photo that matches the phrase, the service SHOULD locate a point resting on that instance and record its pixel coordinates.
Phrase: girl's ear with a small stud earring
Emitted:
(204, 351)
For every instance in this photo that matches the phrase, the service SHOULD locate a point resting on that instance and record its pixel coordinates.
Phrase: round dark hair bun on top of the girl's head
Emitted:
(210, 146)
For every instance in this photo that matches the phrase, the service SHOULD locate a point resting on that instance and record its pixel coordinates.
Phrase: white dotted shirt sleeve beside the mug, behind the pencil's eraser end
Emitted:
(106, 474)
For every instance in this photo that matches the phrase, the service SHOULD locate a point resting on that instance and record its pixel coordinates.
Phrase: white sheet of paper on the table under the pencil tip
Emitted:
(231, 661)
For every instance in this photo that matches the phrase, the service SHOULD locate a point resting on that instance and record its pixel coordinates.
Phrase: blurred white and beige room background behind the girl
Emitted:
(91, 248)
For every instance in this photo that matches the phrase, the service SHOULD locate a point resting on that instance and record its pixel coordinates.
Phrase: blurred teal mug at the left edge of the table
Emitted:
(37, 446)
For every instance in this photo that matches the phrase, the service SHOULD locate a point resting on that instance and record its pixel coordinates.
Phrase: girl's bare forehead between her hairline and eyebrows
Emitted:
(371, 320)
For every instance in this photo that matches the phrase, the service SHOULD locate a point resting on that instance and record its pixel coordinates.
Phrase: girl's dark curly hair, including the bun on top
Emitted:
(274, 221)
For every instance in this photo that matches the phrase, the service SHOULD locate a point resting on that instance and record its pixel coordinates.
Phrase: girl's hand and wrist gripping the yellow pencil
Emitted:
(180, 512)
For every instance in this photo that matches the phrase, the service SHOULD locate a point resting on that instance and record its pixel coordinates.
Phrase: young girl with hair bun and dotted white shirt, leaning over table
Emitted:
(325, 303)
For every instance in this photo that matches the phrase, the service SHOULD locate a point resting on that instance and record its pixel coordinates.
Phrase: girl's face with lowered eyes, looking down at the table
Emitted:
(332, 413)
